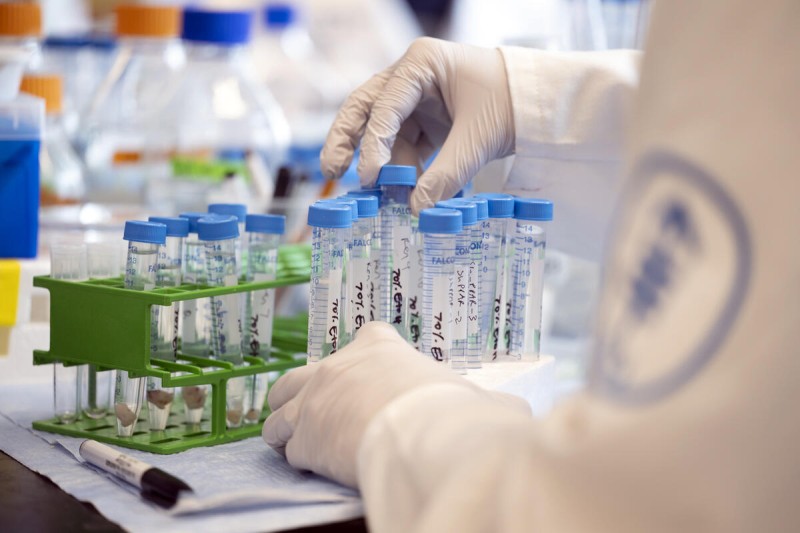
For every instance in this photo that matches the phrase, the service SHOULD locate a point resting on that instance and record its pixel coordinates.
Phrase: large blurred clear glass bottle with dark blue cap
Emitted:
(231, 134)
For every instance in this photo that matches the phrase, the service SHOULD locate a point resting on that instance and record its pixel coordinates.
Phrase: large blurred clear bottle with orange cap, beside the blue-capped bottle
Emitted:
(126, 134)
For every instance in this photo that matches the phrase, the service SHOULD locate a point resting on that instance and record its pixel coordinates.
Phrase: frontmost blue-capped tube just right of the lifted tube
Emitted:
(438, 228)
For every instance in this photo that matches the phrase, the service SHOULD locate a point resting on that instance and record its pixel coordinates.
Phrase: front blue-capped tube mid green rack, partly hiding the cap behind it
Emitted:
(219, 234)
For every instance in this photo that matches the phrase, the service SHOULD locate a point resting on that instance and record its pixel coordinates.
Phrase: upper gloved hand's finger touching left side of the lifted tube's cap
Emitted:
(399, 98)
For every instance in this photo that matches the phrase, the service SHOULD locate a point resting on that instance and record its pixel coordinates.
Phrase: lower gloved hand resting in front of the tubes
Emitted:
(320, 412)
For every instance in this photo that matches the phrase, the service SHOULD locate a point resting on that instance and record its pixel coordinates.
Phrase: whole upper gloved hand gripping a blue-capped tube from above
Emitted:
(438, 94)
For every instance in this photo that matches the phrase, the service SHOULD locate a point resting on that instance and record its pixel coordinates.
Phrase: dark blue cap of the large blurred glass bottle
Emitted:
(217, 27)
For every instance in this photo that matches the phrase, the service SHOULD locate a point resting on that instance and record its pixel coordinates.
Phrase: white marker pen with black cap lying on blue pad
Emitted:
(157, 486)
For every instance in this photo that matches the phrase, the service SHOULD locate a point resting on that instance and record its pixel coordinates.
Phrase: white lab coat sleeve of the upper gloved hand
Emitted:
(570, 112)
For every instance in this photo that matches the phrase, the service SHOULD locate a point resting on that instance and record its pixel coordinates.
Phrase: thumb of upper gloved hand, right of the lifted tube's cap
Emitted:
(456, 163)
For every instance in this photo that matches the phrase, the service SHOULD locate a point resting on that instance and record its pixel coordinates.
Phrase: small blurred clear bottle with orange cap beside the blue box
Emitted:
(61, 172)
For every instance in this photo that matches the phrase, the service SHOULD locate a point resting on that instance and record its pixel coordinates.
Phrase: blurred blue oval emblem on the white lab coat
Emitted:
(680, 272)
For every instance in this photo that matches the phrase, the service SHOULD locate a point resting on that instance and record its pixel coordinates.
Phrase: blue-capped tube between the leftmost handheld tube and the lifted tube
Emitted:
(364, 228)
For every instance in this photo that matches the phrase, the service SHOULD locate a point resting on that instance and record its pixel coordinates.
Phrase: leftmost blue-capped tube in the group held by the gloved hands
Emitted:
(331, 224)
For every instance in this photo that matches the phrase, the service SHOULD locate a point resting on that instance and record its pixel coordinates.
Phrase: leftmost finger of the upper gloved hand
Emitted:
(348, 126)
